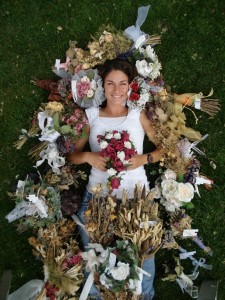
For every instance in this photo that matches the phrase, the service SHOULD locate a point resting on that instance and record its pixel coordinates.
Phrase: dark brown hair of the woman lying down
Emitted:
(117, 64)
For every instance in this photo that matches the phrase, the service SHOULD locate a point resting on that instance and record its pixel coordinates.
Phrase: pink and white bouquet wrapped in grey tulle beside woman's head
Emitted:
(87, 88)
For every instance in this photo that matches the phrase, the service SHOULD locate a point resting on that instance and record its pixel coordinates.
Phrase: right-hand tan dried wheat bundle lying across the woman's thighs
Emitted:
(138, 222)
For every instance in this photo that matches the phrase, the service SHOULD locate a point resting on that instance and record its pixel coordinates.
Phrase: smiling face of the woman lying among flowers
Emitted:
(116, 87)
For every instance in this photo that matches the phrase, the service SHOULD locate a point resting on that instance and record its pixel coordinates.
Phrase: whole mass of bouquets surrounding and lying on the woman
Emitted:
(122, 236)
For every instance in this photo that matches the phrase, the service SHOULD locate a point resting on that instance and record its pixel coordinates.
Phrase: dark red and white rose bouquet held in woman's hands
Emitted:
(117, 148)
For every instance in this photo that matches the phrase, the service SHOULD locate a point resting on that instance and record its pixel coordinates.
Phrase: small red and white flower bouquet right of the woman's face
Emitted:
(138, 94)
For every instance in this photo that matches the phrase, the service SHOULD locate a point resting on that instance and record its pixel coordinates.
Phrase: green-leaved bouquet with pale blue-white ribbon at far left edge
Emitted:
(37, 204)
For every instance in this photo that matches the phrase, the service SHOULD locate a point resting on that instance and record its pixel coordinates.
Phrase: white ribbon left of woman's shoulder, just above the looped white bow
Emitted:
(46, 125)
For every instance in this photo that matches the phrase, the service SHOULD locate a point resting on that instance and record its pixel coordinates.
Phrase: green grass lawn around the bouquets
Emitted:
(193, 58)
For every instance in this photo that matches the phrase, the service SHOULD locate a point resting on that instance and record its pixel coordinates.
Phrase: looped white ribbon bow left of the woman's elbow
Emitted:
(51, 154)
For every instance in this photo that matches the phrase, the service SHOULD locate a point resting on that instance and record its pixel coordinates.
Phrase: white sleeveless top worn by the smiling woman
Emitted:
(130, 123)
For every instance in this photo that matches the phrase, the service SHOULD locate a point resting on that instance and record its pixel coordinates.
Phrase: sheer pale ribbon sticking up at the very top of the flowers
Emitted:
(134, 32)
